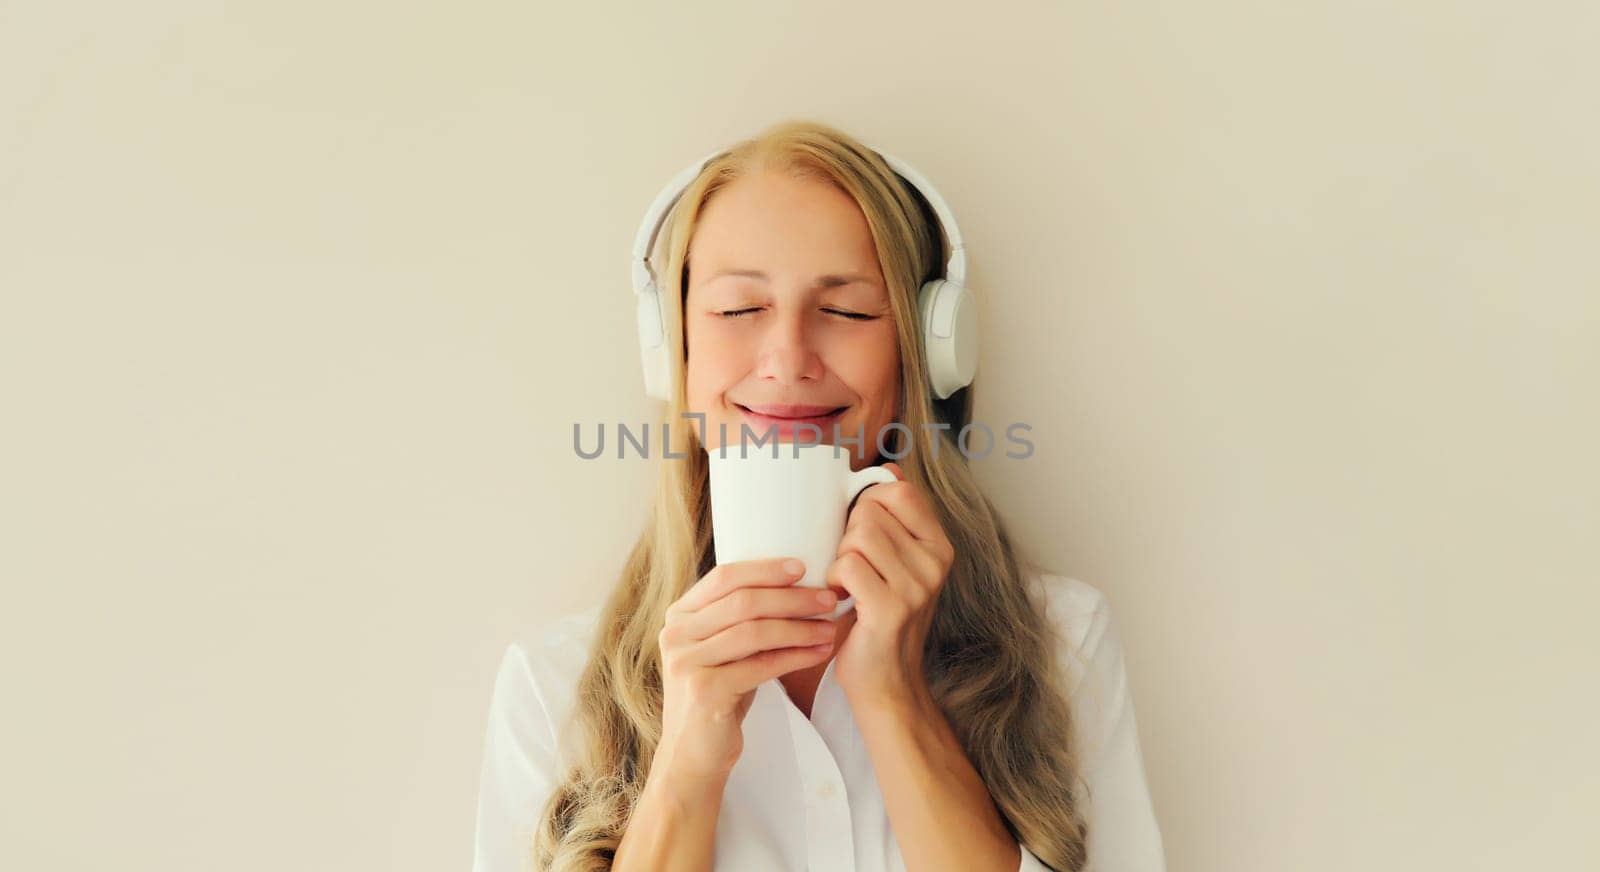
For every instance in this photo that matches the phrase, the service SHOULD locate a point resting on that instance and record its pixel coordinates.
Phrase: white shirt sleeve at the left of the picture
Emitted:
(519, 769)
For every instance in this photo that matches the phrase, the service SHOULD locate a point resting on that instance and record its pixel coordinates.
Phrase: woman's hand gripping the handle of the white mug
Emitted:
(894, 559)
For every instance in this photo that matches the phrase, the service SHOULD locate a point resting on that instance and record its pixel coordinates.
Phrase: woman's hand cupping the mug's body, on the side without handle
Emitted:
(738, 626)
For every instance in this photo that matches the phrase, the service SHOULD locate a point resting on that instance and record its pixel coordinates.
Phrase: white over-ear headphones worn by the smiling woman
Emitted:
(946, 310)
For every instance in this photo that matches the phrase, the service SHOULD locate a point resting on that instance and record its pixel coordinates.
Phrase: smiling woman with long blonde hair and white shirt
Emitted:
(970, 713)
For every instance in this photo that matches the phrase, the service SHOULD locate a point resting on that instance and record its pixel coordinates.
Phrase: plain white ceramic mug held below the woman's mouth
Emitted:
(794, 505)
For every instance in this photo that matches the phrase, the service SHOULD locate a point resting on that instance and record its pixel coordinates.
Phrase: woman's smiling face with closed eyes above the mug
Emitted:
(788, 318)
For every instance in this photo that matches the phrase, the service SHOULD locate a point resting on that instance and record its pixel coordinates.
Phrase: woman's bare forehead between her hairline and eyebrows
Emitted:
(778, 223)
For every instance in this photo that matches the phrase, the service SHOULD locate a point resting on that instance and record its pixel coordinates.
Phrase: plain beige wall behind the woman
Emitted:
(300, 302)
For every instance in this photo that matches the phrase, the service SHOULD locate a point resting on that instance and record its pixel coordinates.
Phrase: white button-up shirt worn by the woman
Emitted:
(802, 794)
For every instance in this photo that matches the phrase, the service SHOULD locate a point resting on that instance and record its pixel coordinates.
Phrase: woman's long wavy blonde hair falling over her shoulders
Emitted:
(990, 658)
